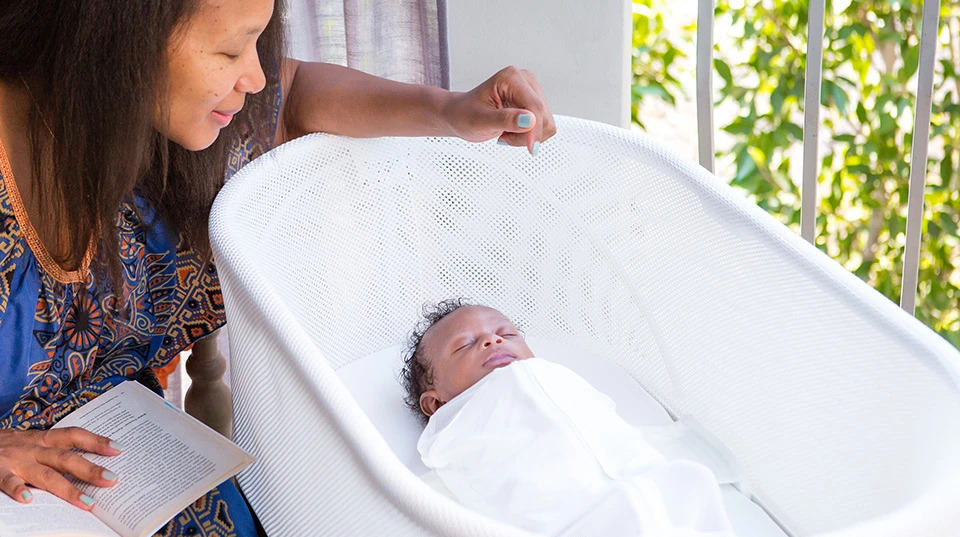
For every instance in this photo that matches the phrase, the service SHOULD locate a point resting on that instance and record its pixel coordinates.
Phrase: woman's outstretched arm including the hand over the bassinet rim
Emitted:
(320, 97)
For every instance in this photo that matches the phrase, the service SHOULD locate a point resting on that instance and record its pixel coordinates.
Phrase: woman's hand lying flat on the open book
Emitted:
(42, 457)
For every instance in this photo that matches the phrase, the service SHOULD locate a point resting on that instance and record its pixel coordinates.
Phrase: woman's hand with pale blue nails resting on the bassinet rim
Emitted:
(509, 106)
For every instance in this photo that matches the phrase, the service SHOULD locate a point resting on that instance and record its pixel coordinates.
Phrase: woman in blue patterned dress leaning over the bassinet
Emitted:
(119, 121)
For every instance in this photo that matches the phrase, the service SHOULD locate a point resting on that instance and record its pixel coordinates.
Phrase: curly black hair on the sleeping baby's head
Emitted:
(417, 374)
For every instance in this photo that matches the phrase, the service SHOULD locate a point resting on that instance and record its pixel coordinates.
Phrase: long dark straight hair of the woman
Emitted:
(95, 69)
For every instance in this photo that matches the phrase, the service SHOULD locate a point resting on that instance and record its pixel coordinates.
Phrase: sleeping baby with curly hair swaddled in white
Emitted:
(530, 443)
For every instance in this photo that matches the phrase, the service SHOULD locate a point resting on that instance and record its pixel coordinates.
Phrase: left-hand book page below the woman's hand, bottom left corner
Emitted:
(48, 516)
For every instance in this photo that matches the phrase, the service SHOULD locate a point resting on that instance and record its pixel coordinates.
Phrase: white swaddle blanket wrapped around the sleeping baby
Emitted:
(534, 445)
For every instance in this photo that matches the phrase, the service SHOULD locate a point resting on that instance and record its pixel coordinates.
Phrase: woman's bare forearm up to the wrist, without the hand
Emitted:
(330, 98)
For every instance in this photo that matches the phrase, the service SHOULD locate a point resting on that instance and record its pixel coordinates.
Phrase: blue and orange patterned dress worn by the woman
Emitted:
(60, 348)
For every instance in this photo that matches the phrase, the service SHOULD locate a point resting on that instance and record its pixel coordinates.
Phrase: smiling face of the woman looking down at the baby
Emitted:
(213, 65)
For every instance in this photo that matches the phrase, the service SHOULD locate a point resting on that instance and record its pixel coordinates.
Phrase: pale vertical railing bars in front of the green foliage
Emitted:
(811, 123)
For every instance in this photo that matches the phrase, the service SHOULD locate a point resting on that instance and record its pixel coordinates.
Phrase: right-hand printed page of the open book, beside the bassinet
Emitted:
(169, 460)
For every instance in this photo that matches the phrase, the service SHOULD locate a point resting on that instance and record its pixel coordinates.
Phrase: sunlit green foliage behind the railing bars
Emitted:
(867, 101)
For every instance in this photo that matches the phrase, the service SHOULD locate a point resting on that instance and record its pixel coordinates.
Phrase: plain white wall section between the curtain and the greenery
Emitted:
(579, 50)
